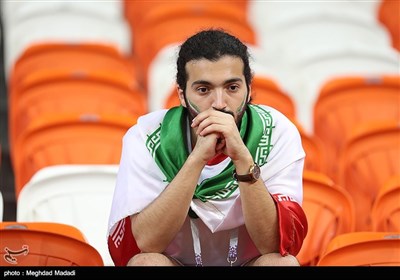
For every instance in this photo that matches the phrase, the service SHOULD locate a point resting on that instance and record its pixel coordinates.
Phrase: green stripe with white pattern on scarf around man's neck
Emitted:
(170, 151)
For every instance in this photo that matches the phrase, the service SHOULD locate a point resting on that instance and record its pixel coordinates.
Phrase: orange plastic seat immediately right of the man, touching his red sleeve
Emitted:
(330, 212)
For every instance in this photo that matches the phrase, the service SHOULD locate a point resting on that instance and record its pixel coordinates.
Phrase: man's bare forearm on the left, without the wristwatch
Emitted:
(156, 226)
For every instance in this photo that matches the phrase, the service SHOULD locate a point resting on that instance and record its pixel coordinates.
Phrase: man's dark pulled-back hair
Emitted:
(211, 44)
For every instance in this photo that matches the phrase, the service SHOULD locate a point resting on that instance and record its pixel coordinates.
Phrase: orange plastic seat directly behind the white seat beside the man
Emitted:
(68, 139)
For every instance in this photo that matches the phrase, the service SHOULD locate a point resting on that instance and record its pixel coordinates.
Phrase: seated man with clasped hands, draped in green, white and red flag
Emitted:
(216, 181)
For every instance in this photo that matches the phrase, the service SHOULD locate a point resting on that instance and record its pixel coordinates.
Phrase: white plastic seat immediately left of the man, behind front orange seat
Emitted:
(78, 195)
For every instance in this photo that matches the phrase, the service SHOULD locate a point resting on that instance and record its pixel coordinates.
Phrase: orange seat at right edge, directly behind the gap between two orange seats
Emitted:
(369, 158)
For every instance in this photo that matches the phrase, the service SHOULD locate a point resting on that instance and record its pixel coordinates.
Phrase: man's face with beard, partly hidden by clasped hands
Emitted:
(218, 84)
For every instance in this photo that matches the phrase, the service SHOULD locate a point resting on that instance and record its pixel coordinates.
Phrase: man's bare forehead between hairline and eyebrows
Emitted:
(226, 67)
